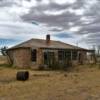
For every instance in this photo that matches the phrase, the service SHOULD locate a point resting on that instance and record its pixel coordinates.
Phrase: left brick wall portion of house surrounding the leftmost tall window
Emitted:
(21, 58)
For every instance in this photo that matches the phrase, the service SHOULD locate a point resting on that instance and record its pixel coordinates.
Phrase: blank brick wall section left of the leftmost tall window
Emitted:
(21, 57)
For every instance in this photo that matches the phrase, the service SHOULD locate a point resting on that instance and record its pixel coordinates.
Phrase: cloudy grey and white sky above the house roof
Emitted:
(71, 21)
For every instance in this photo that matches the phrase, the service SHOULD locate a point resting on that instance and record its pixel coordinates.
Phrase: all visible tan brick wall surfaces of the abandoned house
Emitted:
(22, 57)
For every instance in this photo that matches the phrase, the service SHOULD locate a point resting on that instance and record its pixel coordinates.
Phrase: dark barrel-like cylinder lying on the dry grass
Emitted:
(22, 75)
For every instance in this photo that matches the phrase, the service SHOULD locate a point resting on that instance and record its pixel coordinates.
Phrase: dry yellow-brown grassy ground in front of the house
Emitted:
(83, 83)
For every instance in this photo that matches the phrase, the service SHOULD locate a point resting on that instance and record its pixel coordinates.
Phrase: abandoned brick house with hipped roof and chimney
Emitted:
(36, 52)
